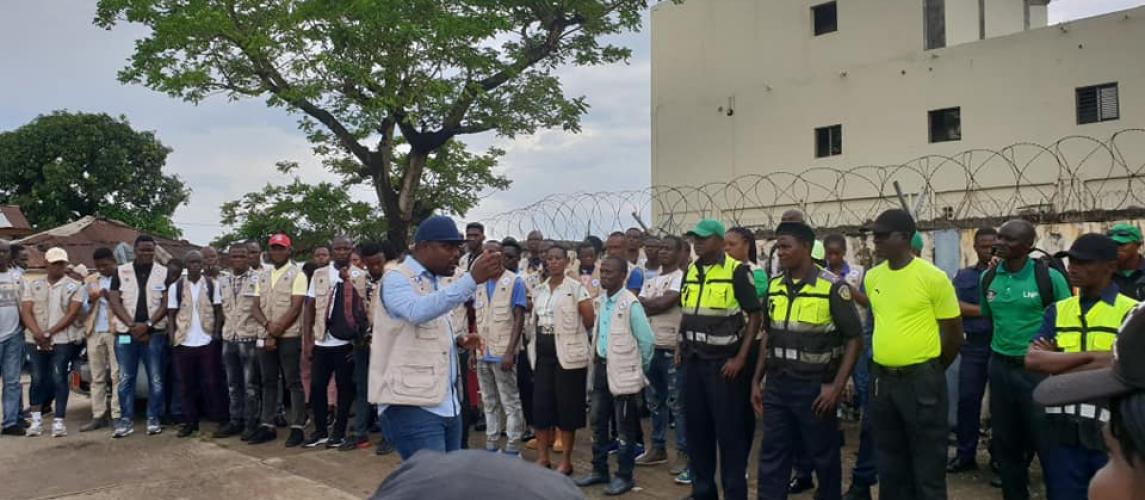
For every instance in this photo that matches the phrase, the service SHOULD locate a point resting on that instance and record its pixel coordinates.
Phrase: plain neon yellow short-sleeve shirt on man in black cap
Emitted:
(907, 305)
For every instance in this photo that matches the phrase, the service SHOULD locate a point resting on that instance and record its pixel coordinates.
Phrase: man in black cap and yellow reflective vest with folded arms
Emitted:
(1078, 334)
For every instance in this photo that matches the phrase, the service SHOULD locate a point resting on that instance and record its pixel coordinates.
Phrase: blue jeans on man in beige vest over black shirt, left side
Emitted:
(154, 355)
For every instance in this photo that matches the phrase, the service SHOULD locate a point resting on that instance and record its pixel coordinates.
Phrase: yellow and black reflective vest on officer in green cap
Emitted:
(713, 322)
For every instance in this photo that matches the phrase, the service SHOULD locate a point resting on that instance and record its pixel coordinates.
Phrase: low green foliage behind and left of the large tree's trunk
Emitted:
(312, 216)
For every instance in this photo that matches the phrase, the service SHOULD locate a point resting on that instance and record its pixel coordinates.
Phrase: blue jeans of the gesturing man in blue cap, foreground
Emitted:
(413, 430)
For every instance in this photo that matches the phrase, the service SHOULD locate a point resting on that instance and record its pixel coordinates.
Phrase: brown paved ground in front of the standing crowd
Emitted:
(93, 466)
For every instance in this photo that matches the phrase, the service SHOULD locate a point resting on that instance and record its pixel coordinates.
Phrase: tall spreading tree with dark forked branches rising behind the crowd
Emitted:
(369, 76)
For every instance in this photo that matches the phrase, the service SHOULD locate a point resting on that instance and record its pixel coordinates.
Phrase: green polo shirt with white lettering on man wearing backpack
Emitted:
(1015, 307)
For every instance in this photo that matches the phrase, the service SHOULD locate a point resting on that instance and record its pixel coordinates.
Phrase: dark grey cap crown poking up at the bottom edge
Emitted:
(471, 474)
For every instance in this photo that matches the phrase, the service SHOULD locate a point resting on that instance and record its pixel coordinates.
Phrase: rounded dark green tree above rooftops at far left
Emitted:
(64, 166)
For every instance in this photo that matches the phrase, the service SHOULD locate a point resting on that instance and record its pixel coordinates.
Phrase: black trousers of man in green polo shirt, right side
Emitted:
(1020, 426)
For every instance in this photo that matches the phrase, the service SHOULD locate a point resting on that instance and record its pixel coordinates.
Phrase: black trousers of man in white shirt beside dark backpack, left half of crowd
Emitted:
(337, 362)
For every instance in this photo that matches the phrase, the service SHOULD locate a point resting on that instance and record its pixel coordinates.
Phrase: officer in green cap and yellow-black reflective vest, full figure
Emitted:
(717, 292)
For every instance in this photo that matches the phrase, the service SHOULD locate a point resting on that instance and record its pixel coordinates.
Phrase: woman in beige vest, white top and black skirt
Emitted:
(564, 314)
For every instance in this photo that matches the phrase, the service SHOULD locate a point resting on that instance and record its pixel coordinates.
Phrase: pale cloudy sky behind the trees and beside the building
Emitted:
(54, 59)
